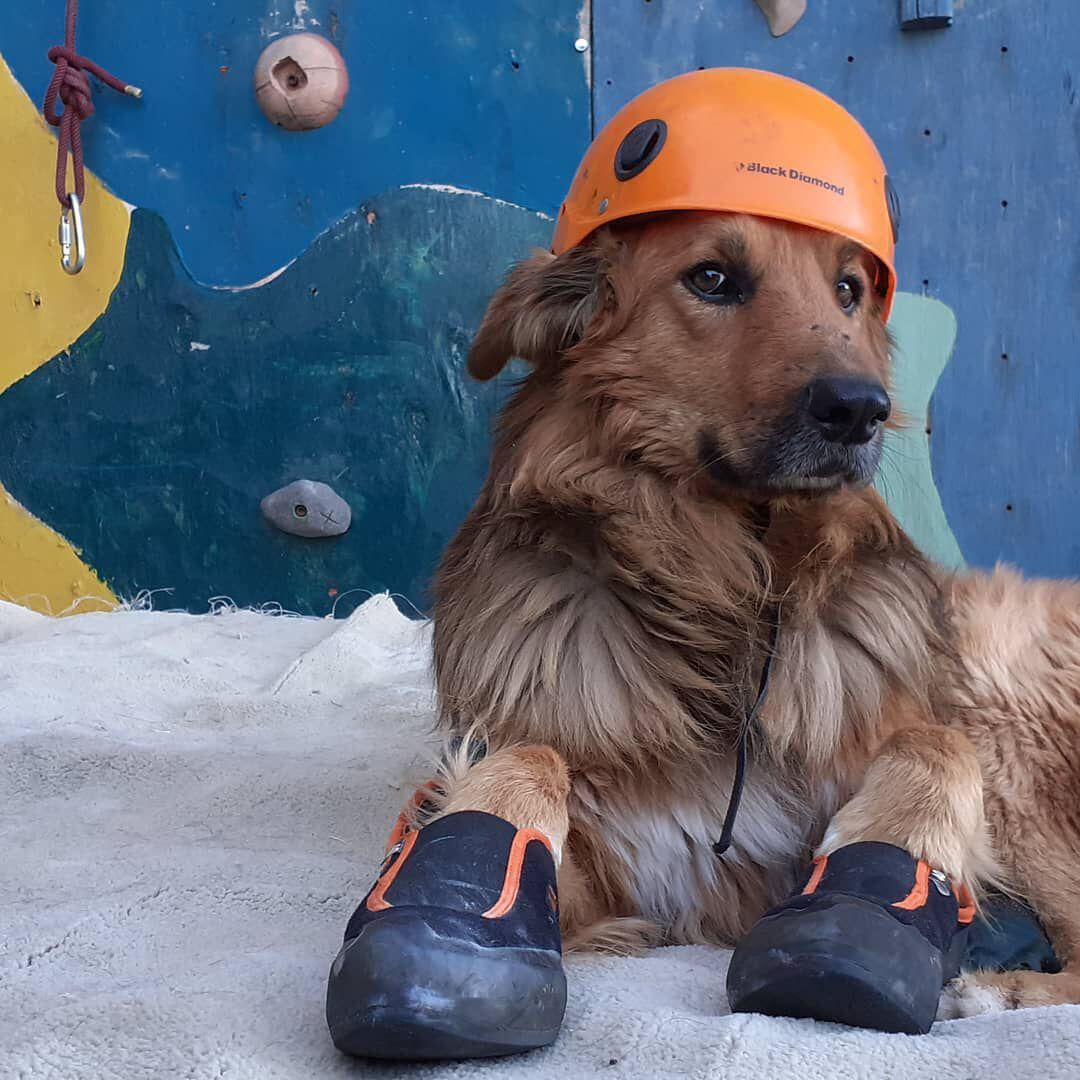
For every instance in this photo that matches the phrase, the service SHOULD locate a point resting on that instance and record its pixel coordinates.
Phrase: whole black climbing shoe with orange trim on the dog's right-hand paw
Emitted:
(870, 940)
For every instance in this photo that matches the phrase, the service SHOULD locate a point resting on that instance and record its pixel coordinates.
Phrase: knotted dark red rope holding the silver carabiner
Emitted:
(71, 84)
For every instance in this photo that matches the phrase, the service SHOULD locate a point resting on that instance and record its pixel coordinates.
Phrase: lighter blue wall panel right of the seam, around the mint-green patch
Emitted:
(980, 126)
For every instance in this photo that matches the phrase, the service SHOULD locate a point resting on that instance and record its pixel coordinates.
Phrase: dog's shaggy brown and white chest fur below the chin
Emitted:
(638, 666)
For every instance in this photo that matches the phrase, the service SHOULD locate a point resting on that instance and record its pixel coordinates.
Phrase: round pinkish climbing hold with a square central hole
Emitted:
(301, 82)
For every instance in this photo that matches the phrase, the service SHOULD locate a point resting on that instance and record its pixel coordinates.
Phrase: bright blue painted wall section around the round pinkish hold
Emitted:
(482, 94)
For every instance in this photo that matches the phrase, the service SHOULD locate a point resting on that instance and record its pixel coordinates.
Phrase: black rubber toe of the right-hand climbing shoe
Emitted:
(846, 963)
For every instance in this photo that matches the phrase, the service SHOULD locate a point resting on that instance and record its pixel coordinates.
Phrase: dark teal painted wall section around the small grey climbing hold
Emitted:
(151, 444)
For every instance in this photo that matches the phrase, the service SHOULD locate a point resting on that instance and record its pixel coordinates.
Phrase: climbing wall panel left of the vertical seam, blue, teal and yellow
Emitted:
(278, 305)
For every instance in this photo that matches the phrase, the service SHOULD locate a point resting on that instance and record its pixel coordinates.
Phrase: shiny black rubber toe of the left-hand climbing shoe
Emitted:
(403, 992)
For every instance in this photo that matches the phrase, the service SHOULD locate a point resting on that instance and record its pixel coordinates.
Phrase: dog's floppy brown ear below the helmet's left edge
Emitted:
(543, 309)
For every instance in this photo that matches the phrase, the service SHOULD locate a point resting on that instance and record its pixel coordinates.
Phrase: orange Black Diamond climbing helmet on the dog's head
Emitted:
(740, 141)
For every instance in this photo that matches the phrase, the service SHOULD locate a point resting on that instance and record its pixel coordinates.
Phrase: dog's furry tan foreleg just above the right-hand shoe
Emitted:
(924, 793)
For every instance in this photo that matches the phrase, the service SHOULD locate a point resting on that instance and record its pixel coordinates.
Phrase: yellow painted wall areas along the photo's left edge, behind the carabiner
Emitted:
(44, 312)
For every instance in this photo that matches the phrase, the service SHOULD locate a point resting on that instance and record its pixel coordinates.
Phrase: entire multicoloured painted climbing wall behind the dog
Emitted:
(262, 306)
